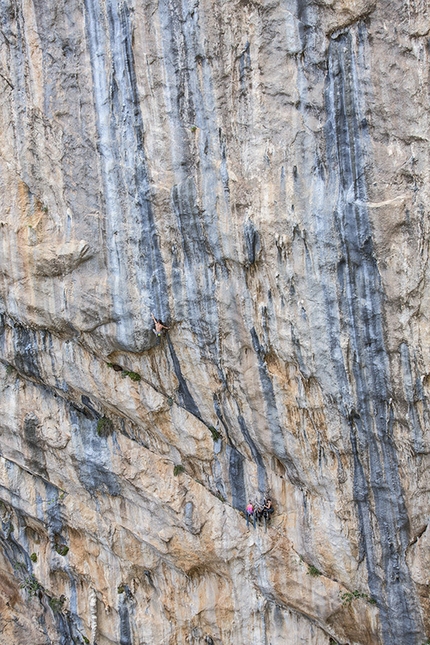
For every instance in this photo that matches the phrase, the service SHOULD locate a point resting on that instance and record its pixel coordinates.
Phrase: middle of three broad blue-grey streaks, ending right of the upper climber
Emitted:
(198, 155)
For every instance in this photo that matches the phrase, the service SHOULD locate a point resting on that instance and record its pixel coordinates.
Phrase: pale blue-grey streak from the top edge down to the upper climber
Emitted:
(135, 261)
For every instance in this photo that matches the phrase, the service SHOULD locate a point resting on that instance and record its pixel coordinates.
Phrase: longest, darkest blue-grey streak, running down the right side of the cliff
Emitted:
(377, 489)
